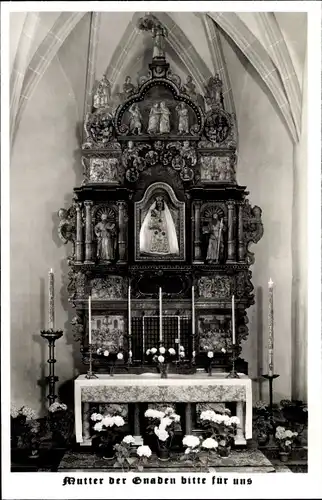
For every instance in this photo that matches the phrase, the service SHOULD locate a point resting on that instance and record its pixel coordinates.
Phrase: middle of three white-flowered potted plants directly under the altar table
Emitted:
(163, 424)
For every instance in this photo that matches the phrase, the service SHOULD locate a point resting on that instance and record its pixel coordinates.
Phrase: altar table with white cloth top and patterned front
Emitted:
(150, 388)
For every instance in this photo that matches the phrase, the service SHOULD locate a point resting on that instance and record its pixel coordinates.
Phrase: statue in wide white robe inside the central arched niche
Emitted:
(158, 233)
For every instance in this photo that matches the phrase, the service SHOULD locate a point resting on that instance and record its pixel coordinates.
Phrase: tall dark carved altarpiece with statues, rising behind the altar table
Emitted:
(160, 206)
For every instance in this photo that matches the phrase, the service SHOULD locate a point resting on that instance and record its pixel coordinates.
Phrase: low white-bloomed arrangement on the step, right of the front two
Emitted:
(198, 452)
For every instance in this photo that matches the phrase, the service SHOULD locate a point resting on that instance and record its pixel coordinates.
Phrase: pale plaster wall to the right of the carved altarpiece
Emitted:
(265, 166)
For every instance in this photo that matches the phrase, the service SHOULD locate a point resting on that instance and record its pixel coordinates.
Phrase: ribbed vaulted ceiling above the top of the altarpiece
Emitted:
(274, 44)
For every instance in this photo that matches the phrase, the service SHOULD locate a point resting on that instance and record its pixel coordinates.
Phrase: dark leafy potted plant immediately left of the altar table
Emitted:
(60, 423)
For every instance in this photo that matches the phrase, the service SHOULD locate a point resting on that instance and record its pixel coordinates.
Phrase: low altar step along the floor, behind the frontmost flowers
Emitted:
(239, 461)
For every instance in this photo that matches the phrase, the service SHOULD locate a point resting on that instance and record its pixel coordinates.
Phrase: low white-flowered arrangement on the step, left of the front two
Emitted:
(127, 456)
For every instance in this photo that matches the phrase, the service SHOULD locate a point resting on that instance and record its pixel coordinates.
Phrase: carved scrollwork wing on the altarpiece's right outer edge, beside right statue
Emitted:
(252, 227)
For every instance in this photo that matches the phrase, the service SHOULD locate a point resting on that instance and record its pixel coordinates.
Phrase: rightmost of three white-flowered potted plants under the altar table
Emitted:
(222, 428)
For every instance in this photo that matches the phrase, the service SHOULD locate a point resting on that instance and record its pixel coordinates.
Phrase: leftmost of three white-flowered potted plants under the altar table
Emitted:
(108, 430)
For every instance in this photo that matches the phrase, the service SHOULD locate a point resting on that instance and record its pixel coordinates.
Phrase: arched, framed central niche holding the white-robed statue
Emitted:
(159, 225)
